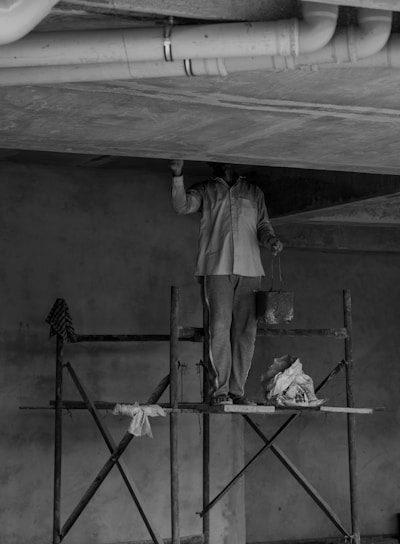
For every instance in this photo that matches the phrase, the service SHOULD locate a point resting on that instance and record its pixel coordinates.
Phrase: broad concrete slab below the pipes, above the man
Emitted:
(345, 119)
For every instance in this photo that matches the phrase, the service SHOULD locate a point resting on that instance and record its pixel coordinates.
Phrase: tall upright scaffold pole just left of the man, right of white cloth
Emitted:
(174, 336)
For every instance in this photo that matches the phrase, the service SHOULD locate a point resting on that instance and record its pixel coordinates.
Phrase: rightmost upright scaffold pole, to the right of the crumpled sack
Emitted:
(351, 418)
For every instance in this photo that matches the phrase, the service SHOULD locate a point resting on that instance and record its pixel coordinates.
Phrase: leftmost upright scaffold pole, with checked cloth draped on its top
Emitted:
(58, 439)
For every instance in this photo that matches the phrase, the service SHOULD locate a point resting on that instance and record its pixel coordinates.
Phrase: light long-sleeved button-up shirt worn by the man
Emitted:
(234, 221)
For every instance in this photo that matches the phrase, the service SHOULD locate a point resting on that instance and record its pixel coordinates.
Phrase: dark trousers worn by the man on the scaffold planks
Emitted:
(231, 303)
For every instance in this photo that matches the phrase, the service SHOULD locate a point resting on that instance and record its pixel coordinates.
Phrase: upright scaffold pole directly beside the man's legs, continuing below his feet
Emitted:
(206, 426)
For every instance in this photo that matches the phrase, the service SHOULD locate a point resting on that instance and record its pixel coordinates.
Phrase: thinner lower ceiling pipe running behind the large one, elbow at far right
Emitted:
(369, 36)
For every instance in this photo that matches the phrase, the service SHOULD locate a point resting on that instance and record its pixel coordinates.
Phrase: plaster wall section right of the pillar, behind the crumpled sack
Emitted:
(278, 508)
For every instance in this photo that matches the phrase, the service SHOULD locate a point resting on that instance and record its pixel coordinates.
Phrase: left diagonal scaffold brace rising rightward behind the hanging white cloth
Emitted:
(116, 453)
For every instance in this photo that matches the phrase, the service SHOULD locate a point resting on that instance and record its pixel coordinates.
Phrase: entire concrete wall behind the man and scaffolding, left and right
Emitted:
(109, 243)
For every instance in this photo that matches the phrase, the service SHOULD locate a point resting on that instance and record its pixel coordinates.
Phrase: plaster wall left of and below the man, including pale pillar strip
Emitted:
(110, 244)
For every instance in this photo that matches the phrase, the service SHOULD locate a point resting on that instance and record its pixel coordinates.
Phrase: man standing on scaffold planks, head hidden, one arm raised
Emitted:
(234, 223)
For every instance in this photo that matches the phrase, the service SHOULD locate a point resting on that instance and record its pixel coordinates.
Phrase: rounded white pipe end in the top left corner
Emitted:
(18, 17)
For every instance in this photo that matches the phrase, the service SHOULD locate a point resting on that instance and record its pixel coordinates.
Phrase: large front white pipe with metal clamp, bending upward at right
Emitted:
(286, 37)
